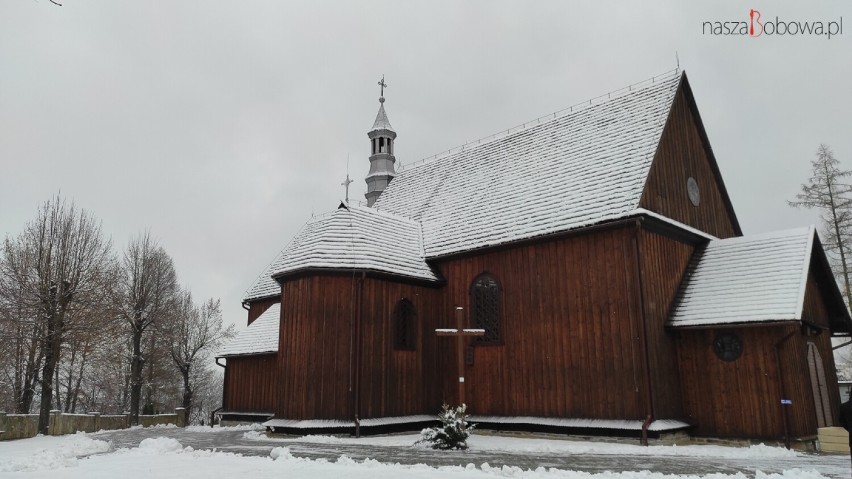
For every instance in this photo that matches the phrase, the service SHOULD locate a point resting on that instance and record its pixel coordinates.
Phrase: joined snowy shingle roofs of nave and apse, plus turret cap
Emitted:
(582, 168)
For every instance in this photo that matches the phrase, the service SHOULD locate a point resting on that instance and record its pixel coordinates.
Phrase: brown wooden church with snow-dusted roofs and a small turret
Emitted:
(598, 251)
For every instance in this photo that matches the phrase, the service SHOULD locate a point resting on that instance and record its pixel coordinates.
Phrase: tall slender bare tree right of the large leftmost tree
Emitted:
(146, 289)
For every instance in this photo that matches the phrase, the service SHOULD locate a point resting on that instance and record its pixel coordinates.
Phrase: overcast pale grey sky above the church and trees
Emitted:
(221, 126)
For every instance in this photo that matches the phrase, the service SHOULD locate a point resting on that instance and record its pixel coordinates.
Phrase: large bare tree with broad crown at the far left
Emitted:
(58, 266)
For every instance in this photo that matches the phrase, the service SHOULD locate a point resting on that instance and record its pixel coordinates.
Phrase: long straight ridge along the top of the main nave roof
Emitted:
(567, 111)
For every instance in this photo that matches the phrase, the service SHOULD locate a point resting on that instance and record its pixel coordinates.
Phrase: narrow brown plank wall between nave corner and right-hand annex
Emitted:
(664, 262)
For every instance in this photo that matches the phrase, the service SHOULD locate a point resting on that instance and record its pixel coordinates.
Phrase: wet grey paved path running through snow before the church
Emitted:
(835, 466)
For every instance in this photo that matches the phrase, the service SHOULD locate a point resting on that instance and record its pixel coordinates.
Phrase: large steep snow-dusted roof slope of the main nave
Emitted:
(582, 168)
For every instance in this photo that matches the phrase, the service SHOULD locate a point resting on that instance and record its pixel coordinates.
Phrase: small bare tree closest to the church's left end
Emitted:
(197, 331)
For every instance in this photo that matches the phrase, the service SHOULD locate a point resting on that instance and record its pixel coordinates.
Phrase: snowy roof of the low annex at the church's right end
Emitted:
(747, 279)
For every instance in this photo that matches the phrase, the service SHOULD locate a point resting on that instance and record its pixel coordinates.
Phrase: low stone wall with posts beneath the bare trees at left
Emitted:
(17, 426)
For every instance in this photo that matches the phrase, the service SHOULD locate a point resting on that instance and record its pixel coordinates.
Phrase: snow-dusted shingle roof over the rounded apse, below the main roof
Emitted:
(357, 237)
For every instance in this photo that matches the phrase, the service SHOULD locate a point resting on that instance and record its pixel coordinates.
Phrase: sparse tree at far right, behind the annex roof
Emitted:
(828, 192)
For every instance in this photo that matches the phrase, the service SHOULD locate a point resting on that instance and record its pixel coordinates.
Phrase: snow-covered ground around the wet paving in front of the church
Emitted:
(156, 455)
